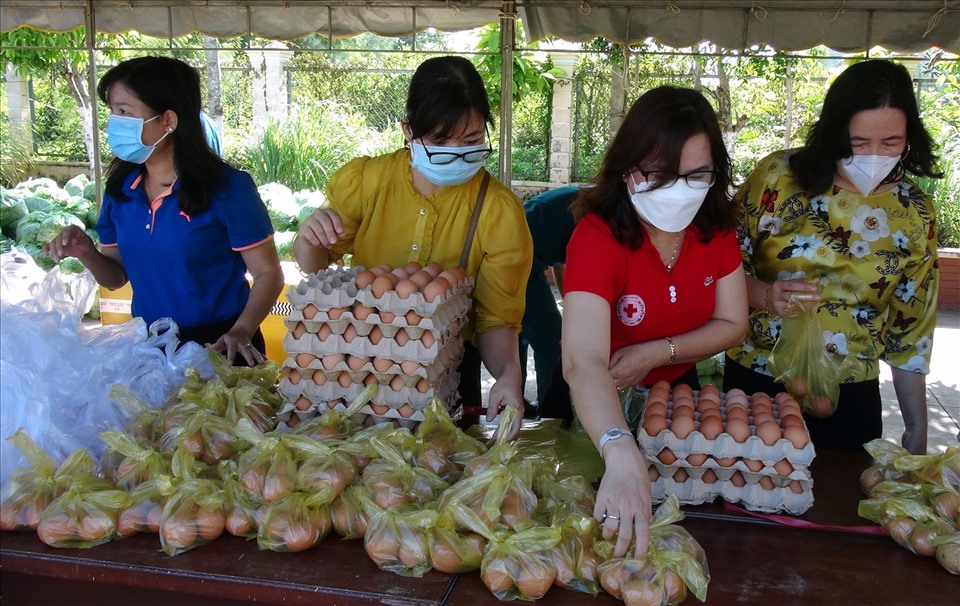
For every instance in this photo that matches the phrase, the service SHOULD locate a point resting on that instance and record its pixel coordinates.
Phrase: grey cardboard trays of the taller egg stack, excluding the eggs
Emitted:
(335, 288)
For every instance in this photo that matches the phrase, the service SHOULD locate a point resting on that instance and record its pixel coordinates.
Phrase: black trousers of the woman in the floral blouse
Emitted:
(858, 418)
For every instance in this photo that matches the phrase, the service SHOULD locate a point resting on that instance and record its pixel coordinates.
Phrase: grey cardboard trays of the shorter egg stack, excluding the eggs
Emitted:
(694, 491)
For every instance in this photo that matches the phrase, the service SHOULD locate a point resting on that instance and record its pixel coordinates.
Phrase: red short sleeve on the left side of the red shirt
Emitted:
(595, 260)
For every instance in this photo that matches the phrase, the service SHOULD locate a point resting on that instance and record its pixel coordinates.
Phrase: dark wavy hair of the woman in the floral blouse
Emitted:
(863, 86)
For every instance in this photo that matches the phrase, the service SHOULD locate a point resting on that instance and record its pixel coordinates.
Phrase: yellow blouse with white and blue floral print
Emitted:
(874, 256)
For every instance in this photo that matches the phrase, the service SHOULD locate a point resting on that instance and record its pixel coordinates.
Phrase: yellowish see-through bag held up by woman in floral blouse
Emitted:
(801, 361)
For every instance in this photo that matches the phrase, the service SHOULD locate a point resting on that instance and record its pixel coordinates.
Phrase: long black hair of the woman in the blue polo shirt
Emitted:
(165, 84)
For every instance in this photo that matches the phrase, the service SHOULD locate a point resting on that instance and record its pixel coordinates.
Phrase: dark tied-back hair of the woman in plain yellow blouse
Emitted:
(445, 92)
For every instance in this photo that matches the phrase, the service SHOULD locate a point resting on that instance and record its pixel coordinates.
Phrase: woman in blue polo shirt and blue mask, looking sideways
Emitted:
(177, 222)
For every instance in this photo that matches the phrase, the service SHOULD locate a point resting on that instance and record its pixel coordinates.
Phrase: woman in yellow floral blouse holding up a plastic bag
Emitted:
(842, 211)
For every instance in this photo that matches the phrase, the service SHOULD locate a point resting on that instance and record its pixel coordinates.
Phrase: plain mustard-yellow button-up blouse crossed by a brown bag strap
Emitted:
(385, 220)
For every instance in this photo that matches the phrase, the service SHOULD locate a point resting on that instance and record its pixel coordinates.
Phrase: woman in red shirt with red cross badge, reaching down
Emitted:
(653, 283)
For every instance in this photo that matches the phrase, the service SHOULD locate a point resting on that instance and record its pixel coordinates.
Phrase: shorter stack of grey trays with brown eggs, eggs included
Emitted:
(708, 444)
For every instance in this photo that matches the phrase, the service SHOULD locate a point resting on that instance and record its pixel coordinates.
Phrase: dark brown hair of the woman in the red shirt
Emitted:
(657, 126)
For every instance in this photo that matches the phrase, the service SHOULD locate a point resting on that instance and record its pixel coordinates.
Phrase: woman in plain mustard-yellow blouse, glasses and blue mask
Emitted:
(416, 204)
